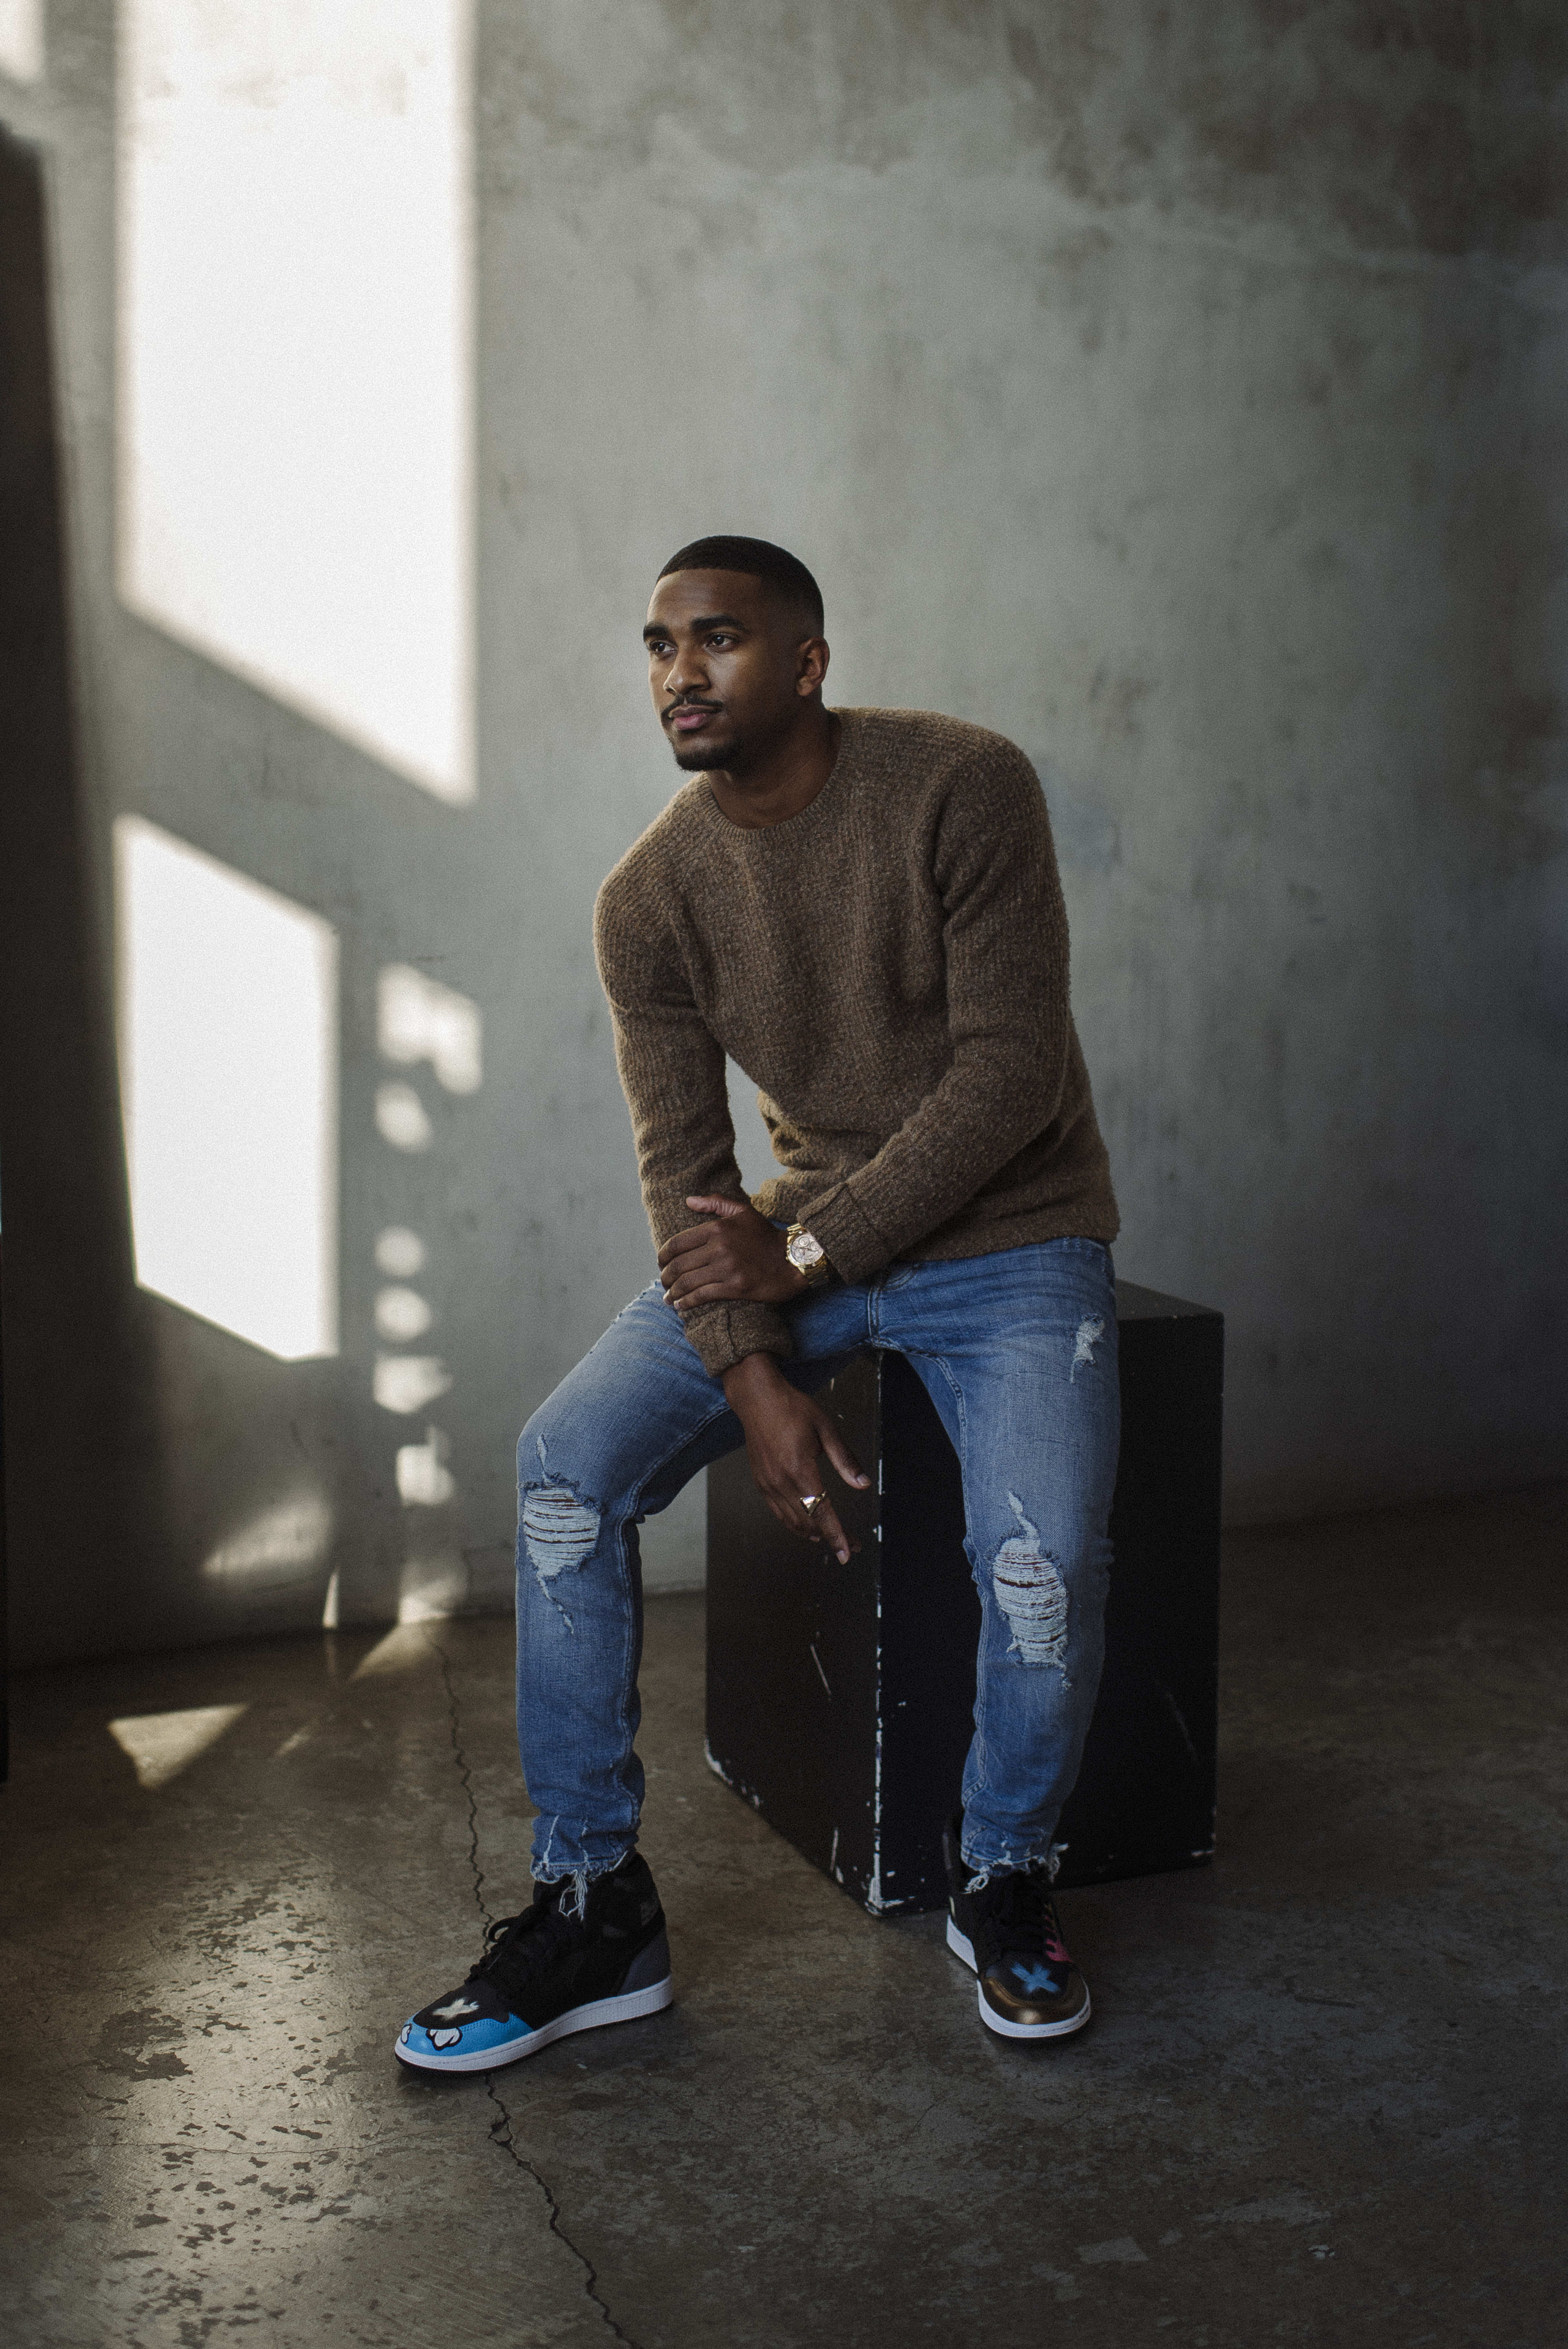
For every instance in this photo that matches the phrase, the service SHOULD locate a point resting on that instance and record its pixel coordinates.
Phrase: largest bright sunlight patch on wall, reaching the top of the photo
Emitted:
(297, 358)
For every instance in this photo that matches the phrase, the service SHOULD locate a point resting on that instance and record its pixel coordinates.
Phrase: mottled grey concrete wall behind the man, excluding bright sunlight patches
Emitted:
(1177, 391)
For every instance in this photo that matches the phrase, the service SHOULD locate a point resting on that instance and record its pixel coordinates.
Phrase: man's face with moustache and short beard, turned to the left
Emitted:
(729, 666)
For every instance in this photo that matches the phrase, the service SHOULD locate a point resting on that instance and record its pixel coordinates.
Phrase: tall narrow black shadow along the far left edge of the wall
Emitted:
(72, 1328)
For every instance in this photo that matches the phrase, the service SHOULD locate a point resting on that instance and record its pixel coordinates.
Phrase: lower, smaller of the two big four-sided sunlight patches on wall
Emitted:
(229, 1077)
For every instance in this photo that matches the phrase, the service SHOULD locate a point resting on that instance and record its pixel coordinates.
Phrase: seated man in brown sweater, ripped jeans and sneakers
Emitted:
(863, 910)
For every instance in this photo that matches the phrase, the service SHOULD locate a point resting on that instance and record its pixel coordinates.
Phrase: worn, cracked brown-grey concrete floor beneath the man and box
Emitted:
(1323, 2099)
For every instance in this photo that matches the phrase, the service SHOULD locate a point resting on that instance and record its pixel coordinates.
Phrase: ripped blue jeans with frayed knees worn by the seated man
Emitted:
(1020, 1357)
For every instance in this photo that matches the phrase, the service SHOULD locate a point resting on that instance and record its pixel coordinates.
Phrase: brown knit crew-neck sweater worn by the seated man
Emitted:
(891, 969)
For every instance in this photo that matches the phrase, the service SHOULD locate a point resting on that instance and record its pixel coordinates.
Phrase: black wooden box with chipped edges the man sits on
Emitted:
(839, 1697)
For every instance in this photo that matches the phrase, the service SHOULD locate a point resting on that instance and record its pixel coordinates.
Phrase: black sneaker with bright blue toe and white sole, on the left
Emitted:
(548, 1974)
